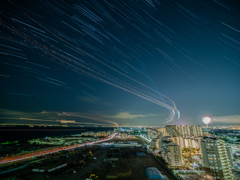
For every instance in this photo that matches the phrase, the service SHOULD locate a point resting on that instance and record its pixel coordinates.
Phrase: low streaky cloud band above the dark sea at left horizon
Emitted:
(92, 117)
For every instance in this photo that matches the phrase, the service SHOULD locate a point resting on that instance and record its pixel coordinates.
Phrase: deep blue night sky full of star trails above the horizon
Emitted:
(133, 62)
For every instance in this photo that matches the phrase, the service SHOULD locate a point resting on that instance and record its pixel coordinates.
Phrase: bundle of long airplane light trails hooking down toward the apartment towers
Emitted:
(78, 65)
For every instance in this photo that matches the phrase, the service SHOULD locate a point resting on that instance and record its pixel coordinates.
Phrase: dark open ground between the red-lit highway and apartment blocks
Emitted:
(100, 162)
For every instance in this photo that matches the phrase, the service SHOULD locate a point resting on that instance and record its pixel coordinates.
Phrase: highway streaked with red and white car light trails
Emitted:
(50, 151)
